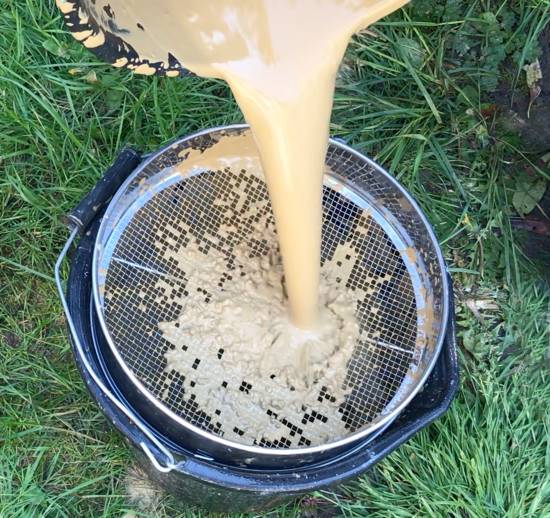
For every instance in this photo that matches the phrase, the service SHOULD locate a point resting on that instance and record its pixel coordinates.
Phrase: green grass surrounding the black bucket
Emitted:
(417, 97)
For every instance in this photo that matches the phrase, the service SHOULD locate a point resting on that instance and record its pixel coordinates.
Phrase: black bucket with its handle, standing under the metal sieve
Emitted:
(189, 474)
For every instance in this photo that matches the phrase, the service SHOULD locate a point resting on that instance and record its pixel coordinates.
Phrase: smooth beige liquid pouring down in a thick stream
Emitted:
(280, 58)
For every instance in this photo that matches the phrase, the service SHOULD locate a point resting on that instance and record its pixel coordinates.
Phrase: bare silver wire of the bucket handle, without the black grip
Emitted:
(168, 462)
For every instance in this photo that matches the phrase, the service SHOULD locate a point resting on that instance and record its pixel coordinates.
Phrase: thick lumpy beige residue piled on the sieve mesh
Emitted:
(243, 363)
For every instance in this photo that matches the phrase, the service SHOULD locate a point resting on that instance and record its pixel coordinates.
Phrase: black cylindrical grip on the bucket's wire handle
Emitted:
(84, 213)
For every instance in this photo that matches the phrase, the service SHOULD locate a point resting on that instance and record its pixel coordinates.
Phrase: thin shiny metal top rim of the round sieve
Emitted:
(258, 450)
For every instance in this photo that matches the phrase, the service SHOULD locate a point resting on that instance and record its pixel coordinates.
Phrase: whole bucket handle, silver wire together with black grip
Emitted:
(77, 221)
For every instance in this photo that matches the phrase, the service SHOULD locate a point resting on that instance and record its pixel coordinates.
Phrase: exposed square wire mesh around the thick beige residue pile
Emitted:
(146, 282)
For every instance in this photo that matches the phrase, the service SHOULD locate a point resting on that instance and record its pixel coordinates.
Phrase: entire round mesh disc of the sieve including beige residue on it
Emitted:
(213, 236)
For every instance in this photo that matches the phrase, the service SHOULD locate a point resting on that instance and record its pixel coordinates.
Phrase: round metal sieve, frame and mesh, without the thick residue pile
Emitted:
(176, 198)
